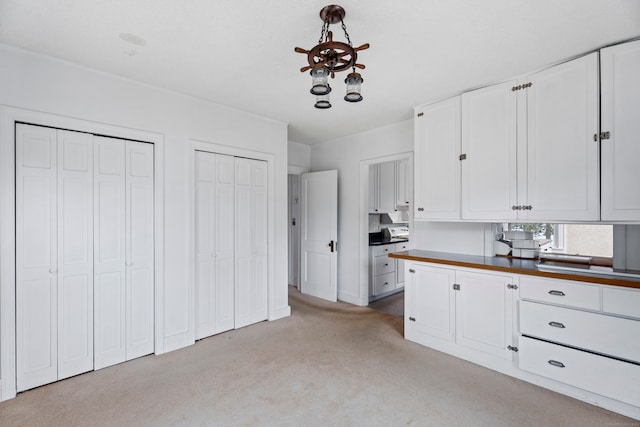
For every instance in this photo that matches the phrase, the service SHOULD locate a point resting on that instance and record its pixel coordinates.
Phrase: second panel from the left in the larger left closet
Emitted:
(75, 250)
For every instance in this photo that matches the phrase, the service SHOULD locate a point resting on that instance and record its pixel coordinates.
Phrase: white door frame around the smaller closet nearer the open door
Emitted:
(218, 148)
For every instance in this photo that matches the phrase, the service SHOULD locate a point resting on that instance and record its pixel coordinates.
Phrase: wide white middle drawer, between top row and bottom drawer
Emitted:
(591, 331)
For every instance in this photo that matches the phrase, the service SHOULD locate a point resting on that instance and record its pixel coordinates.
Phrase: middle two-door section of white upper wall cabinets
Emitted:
(529, 150)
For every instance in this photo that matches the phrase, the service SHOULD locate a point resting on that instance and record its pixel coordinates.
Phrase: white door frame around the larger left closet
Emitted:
(8, 117)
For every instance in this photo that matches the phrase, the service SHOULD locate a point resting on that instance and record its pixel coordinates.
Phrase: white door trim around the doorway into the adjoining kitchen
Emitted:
(364, 216)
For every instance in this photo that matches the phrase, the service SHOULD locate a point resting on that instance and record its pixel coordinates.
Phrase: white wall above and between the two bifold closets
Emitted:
(34, 82)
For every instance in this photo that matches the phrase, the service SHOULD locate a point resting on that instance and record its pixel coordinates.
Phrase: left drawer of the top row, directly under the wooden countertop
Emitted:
(561, 292)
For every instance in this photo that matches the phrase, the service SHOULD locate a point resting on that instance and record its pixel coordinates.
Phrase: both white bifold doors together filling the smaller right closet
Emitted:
(231, 242)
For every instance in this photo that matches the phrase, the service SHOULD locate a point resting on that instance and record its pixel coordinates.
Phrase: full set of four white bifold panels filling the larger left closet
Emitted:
(84, 253)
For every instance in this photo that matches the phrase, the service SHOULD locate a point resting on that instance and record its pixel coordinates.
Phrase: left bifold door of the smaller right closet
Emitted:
(215, 219)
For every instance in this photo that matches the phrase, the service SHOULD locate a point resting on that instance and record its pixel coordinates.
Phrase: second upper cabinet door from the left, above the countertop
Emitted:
(489, 172)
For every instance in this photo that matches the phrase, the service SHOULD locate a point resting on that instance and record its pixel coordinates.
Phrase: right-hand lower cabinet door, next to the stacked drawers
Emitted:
(484, 313)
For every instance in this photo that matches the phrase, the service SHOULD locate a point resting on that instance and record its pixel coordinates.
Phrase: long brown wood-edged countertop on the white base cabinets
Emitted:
(513, 265)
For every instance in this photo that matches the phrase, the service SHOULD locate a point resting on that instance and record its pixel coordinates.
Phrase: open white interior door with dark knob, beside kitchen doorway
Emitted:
(319, 229)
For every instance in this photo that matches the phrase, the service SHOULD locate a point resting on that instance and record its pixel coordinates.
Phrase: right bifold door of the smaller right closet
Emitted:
(251, 242)
